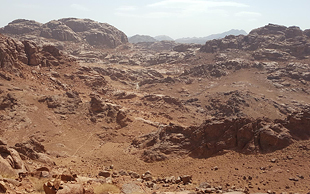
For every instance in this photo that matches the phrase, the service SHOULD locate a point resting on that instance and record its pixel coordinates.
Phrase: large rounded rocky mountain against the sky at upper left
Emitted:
(68, 29)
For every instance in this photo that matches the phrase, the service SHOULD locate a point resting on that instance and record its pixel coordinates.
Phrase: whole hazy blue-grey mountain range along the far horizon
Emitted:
(196, 40)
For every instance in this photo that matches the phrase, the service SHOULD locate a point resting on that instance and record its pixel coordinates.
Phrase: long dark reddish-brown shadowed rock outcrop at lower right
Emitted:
(215, 135)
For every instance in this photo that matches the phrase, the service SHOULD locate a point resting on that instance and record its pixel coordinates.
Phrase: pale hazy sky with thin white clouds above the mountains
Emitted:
(175, 18)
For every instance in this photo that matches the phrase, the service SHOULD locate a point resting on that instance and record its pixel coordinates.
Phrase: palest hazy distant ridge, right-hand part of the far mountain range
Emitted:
(202, 40)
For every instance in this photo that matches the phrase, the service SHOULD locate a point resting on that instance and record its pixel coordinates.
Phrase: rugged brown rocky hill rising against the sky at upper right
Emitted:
(272, 41)
